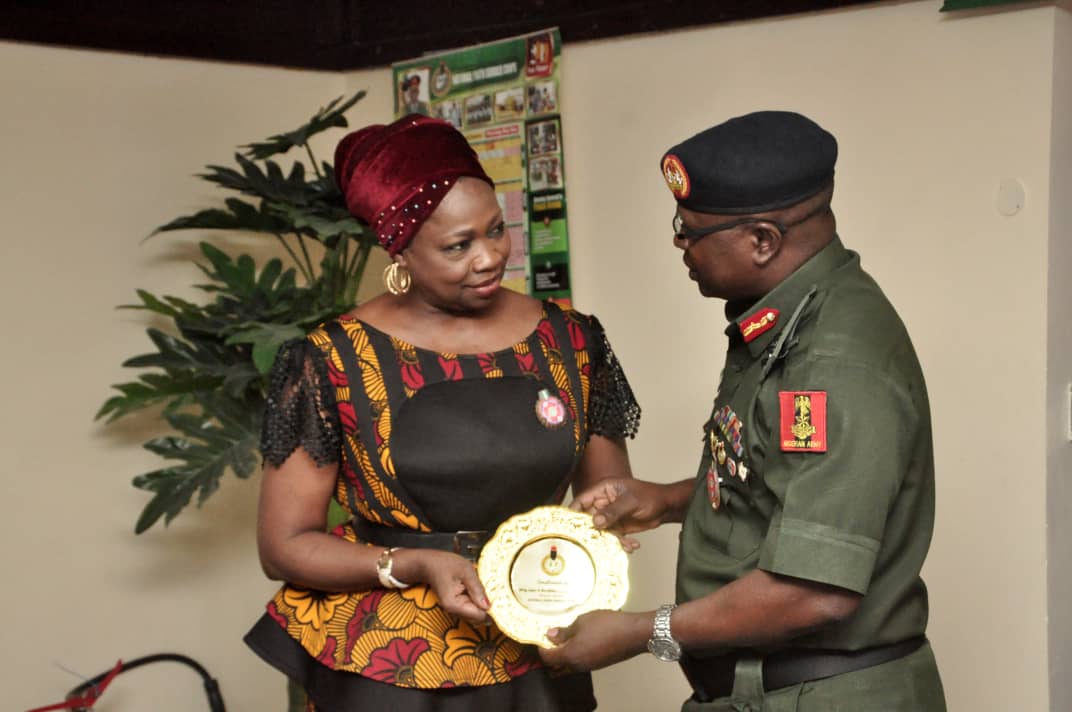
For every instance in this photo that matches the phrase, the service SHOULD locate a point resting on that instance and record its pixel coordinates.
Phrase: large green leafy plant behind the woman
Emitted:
(209, 370)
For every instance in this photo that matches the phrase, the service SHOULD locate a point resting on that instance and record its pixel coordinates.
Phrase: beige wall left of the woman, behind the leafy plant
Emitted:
(98, 151)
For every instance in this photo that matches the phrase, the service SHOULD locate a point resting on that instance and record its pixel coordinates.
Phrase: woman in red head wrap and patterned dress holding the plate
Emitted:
(433, 413)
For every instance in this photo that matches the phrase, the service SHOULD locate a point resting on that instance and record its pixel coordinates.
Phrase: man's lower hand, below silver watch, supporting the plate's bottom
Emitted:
(599, 640)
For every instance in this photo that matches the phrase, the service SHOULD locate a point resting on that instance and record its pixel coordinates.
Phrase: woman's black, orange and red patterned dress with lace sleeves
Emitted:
(433, 442)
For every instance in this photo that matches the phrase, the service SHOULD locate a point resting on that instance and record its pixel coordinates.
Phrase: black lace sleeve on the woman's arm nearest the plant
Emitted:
(301, 408)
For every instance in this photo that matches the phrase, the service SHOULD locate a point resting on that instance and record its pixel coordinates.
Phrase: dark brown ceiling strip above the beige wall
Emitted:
(348, 35)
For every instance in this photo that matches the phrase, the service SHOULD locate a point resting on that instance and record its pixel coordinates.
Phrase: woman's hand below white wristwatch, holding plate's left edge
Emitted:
(452, 577)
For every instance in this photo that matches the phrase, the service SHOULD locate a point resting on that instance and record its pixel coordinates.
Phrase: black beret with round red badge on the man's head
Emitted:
(753, 164)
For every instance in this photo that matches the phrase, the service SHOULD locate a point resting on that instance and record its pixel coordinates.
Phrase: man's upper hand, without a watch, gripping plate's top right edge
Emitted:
(624, 506)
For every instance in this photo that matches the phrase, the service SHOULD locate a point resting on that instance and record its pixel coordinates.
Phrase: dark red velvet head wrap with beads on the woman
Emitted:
(394, 176)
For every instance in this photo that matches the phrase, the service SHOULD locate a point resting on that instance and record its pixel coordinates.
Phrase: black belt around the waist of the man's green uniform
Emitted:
(713, 677)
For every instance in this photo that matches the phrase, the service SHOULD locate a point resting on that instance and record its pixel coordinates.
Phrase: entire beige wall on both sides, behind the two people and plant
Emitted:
(931, 112)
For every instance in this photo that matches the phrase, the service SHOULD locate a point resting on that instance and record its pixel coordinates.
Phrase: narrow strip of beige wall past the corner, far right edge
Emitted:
(1060, 372)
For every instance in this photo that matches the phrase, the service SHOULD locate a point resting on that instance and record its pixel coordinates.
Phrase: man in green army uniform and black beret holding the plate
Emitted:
(806, 529)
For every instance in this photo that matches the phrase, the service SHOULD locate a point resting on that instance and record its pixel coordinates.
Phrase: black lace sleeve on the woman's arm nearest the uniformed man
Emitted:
(614, 411)
